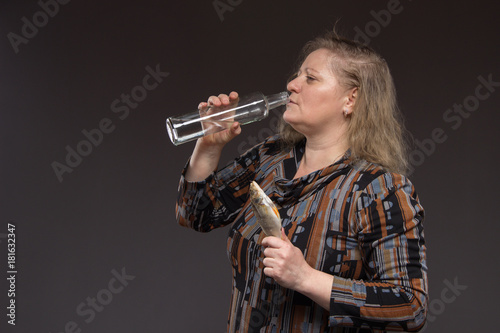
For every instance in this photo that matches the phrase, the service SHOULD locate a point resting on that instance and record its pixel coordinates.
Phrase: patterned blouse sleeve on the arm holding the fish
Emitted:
(389, 219)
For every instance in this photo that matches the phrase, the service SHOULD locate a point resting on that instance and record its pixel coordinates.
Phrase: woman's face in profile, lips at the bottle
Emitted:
(317, 101)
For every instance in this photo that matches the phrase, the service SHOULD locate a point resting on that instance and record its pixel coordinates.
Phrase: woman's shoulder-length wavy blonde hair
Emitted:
(375, 131)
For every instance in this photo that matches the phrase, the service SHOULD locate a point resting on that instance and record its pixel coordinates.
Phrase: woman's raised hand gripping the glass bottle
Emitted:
(220, 139)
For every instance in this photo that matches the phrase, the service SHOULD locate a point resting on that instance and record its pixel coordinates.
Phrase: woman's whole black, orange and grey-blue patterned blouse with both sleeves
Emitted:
(352, 220)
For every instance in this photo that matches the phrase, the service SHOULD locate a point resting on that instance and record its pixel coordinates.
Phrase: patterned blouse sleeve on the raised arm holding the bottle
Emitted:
(216, 201)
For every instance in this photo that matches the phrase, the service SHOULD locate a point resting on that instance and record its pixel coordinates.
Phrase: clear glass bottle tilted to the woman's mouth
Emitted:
(212, 119)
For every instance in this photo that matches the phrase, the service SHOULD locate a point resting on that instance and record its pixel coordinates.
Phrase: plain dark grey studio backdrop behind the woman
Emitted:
(115, 210)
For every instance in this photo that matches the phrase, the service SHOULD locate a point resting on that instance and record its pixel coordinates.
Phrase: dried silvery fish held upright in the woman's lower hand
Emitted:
(265, 211)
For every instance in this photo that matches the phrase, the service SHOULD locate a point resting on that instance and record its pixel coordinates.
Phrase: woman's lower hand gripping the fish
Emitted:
(285, 262)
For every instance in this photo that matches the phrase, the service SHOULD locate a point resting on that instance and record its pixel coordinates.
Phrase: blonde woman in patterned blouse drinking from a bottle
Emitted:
(352, 255)
